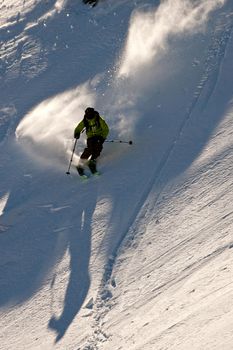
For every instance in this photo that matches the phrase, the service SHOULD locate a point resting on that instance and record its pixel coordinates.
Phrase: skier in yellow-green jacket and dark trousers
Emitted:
(96, 130)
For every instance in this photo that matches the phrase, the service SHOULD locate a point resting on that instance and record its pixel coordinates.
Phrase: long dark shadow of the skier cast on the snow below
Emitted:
(79, 245)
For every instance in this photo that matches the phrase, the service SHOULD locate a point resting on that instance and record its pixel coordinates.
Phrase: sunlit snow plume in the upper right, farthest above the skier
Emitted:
(150, 31)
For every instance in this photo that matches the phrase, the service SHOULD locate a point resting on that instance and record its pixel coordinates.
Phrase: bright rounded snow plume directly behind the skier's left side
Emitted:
(48, 129)
